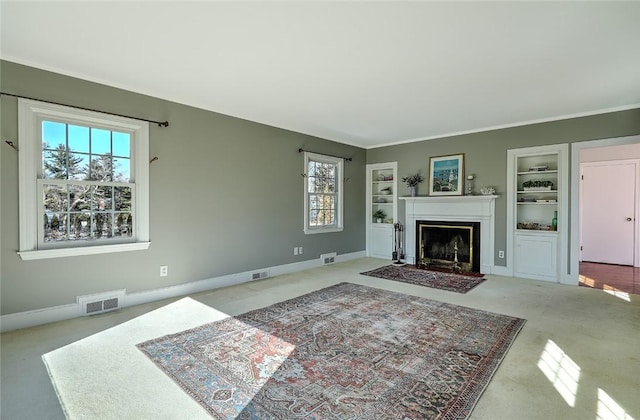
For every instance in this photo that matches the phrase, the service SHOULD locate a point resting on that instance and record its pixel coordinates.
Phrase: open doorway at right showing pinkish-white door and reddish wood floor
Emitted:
(609, 253)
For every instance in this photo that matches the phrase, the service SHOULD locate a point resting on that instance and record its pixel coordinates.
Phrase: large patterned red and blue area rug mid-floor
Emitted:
(344, 352)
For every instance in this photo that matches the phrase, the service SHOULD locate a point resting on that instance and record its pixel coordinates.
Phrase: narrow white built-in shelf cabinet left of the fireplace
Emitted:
(382, 208)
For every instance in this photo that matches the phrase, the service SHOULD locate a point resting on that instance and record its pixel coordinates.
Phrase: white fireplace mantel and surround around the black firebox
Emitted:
(466, 208)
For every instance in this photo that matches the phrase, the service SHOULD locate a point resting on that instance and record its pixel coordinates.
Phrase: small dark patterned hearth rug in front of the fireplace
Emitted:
(429, 278)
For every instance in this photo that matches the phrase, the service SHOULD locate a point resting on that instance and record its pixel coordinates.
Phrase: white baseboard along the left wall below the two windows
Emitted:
(36, 317)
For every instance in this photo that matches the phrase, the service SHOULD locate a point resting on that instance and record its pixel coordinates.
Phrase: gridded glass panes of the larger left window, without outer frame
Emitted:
(86, 189)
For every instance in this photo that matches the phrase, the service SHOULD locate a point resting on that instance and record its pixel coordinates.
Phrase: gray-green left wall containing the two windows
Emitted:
(226, 196)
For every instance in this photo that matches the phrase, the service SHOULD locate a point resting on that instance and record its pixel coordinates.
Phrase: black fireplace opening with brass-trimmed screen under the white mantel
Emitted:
(448, 244)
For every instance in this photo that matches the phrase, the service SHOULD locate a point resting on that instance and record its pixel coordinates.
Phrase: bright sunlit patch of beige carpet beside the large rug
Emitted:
(105, 376)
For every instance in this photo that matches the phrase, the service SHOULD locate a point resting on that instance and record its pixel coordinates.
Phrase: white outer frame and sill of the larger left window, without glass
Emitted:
(31, 113)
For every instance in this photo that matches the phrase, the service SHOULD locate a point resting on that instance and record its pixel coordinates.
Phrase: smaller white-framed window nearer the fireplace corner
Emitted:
(323, 194)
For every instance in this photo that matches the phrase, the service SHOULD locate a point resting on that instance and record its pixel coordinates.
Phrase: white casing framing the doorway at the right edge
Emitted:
(576, 148)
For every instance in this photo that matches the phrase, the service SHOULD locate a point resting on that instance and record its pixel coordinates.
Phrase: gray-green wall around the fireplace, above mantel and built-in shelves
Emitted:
(486, 154)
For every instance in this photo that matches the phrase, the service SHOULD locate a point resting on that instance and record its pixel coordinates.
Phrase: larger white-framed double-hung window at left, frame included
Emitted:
(83, 181)
